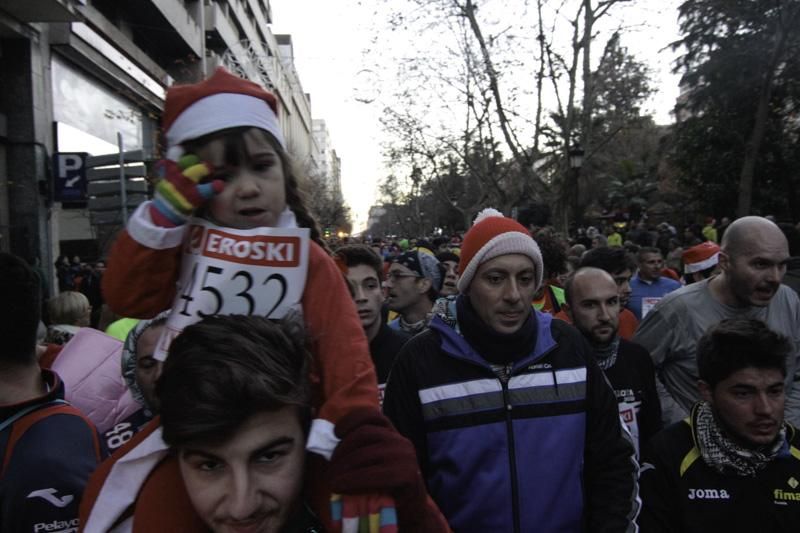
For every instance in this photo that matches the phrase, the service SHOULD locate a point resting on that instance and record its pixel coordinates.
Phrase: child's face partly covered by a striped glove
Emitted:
(255, 189)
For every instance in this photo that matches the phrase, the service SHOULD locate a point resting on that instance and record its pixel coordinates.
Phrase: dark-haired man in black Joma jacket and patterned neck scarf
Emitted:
(732, 465)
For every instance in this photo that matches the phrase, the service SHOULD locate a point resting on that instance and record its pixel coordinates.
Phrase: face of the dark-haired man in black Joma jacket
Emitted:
(749, 404)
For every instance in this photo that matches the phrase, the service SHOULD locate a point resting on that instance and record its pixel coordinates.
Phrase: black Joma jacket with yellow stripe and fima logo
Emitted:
(680, 492)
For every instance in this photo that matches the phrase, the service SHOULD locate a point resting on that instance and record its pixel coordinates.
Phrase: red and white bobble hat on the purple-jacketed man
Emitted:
(493, 235)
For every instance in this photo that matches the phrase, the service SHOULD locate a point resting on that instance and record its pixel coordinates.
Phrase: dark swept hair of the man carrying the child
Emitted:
(225, 369)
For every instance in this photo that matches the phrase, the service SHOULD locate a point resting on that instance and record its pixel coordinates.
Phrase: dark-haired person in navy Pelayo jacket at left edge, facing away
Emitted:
(49, 447)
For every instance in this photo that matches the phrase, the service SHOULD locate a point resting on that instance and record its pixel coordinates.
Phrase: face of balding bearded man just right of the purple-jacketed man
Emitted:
(594, 306)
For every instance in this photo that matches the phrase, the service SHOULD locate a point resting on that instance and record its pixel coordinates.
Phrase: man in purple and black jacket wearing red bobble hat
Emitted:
(514, 425)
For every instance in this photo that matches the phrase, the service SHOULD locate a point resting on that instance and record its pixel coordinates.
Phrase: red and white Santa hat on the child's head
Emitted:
(219, 102)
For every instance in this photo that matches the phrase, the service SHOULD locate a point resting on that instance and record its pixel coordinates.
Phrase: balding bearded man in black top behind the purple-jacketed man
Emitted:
(593, 306)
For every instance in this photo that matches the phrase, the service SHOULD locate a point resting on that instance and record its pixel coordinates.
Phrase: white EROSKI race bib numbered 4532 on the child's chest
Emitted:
(226, 271)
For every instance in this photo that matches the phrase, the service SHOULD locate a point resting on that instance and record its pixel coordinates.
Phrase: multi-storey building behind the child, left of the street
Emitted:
(87, 76)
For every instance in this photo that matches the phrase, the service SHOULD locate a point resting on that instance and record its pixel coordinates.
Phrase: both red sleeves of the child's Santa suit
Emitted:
(140, 282)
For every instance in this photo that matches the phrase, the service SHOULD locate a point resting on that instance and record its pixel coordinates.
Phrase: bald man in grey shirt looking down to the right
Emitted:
(752, 262)
